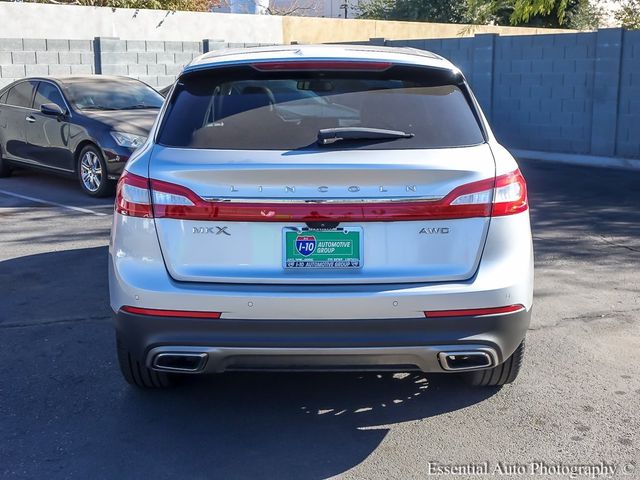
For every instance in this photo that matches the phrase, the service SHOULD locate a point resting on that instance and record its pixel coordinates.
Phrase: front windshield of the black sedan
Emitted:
(107, 94)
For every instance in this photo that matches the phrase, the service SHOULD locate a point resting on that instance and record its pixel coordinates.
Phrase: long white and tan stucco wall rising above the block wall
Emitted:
(72, 22)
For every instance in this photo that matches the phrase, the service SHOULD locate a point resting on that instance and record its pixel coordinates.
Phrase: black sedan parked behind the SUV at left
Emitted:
(86, 126)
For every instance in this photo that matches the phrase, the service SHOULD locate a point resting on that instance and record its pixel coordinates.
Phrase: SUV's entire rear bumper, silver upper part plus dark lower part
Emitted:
(325, 327)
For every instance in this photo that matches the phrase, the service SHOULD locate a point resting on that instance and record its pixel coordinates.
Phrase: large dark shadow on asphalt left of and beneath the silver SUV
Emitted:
(68, 413)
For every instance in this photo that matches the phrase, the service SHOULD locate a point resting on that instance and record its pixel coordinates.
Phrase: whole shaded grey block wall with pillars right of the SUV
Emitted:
(566, 93)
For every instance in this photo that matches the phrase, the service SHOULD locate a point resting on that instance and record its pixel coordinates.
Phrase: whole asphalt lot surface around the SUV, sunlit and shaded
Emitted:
(66, 413)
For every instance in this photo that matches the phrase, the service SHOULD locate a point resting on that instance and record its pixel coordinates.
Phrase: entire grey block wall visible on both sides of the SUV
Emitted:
(563, 93)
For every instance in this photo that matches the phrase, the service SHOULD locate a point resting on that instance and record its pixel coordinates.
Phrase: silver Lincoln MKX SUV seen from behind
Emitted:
(321, 208)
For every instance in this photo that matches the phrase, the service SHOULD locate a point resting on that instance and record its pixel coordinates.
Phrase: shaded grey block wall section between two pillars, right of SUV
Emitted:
(543, 91)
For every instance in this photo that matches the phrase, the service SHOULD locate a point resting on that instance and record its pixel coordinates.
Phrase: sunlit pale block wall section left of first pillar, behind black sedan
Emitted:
(23, 57)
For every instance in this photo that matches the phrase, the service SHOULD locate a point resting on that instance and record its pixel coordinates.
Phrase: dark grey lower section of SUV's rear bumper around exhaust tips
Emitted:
(328, 344)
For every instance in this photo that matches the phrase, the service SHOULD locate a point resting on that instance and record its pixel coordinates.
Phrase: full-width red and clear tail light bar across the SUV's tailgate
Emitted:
(140, 197)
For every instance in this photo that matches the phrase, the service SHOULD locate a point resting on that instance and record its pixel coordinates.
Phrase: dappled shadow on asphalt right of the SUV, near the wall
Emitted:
(583, 213)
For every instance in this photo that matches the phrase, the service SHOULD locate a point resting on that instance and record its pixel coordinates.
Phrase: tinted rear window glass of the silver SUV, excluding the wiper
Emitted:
(243, 109)
